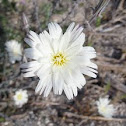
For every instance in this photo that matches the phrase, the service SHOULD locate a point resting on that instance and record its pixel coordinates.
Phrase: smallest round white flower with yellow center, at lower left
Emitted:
(20, 97)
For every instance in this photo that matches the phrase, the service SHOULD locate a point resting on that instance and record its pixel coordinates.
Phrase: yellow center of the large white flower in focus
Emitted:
(59, 59)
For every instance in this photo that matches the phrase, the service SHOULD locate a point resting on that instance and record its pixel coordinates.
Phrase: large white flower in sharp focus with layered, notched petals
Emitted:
(60, 60)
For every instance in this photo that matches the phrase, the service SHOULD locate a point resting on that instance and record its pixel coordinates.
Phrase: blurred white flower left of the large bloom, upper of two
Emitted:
(14, 49)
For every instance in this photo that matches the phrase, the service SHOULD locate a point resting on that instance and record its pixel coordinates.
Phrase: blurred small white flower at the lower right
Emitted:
(104, 108)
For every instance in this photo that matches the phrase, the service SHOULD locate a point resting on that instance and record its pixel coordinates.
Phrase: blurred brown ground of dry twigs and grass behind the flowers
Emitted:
(106, 33)
